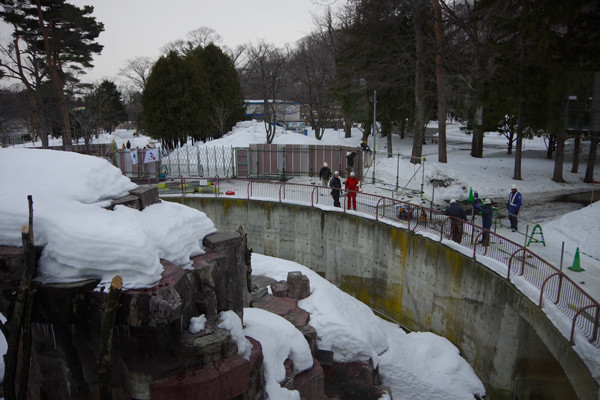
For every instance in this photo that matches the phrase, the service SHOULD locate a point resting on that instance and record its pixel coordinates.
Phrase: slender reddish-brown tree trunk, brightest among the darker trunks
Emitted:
(440, 74)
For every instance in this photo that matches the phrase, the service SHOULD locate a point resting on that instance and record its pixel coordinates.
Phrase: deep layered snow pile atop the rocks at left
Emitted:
(81, 238)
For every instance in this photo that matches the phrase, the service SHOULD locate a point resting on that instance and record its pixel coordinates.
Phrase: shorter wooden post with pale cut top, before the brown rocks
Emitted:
(106, 332)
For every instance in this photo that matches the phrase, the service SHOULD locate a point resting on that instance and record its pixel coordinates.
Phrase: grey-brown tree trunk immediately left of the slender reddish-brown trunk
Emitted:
(417, 149)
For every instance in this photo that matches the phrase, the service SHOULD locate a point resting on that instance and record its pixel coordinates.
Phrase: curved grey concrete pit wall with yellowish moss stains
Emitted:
(513, 347)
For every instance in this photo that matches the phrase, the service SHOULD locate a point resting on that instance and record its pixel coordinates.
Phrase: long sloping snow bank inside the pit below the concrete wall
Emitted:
(414, 365)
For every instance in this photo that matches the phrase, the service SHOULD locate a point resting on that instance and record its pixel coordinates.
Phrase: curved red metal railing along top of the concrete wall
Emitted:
(554, 286)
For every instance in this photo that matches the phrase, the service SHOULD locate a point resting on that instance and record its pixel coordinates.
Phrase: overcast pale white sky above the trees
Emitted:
(142, 27)
